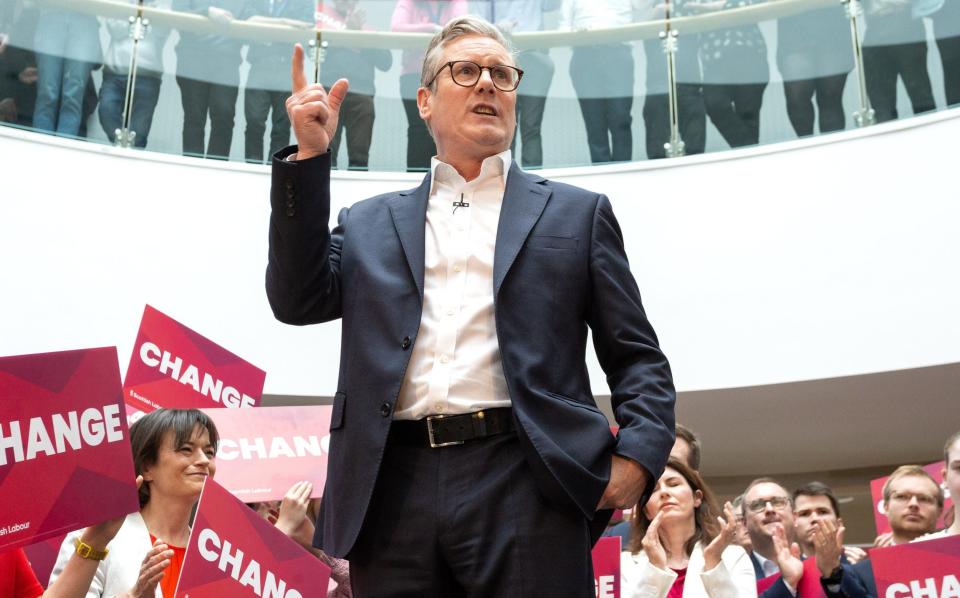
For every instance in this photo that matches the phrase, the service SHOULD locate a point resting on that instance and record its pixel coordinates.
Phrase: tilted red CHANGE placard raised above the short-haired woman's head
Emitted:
(173, 366)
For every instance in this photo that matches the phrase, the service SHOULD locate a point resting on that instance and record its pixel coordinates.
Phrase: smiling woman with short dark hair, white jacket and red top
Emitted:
(140, 556)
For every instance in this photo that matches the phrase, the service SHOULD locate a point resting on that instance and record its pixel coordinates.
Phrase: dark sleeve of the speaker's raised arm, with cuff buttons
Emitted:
(303, 268)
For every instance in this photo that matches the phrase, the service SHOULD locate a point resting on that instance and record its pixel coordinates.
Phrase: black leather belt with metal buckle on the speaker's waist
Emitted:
(448, 430)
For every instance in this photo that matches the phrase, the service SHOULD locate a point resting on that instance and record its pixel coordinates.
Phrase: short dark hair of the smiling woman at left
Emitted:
(148, 432)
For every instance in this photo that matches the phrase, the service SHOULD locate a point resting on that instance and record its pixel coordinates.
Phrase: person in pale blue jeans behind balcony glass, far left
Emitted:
(67, 46)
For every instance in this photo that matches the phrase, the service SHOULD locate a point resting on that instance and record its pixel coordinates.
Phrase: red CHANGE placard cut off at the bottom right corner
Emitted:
(919, 569)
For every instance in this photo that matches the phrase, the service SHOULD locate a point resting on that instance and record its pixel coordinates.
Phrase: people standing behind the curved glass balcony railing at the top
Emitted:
(48, 57)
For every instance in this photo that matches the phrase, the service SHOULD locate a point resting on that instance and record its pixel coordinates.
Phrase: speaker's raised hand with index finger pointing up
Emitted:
(312, 111)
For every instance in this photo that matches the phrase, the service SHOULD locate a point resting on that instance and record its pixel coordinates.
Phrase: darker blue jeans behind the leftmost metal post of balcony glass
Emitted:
(145, 94)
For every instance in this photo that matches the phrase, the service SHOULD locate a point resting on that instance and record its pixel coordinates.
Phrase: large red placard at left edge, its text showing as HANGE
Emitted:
(65, 459)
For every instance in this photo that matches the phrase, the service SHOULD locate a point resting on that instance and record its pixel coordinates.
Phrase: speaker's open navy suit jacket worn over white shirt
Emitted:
(559, 268)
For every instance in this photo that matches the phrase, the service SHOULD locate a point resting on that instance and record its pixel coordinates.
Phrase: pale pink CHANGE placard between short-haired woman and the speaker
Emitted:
(261, 457)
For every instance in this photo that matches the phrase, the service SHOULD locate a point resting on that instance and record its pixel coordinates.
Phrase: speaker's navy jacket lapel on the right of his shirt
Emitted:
(523, 201)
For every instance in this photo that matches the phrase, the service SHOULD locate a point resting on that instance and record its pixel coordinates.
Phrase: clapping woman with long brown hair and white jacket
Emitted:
(681, 548)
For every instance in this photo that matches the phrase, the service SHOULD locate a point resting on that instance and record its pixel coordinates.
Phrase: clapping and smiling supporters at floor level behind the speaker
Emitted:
(680, 543)
